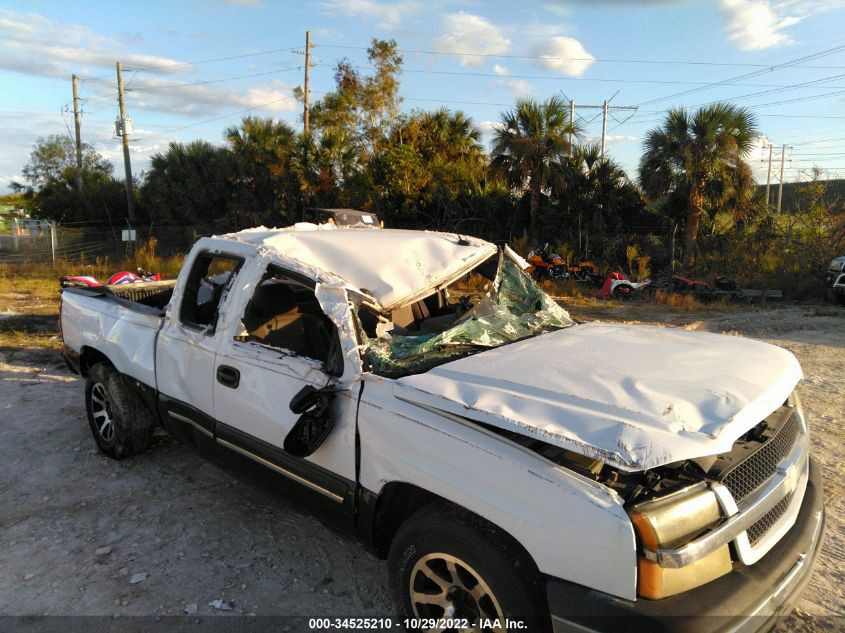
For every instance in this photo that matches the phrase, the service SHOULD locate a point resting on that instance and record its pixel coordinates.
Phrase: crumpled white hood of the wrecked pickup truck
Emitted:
(635, 397)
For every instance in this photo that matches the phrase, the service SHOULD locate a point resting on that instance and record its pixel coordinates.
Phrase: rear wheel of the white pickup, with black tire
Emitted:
(119, 421)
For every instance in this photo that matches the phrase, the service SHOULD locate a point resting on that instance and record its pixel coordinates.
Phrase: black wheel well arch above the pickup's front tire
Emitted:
(398, 501)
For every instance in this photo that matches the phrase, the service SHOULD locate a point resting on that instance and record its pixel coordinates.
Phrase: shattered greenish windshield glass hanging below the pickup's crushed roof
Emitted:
(512, 308)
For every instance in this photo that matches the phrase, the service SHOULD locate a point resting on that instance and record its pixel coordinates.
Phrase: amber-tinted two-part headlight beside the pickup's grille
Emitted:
(668, 523)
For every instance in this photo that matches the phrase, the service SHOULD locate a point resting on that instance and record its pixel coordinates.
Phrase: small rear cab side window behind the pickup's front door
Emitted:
(211, 276)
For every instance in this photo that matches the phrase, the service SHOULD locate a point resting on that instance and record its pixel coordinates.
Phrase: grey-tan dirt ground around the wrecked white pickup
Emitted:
(165, 533)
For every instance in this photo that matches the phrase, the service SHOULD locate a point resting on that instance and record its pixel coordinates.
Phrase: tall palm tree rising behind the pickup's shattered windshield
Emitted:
(530, 144)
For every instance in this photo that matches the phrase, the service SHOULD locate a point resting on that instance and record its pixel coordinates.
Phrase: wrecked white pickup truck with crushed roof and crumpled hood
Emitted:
(418, 393)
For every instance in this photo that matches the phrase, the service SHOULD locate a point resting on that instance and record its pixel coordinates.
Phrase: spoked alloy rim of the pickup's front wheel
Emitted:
(444, 586)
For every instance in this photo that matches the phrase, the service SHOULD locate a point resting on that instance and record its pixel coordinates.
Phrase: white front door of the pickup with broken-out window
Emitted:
(283, 342)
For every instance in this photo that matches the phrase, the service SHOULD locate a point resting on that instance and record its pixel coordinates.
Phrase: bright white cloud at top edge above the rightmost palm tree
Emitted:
(757, 24)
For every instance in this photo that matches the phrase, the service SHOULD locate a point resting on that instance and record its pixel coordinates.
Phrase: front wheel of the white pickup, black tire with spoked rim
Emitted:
(484, 560)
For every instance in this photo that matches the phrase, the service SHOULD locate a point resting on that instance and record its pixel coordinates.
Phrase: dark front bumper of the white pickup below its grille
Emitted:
(750, 598)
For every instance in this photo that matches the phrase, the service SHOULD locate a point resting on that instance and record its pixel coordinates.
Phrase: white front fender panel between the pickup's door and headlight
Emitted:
(574, 529)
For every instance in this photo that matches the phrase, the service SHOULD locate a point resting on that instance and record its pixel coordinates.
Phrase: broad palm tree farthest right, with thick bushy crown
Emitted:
(699, 157)
